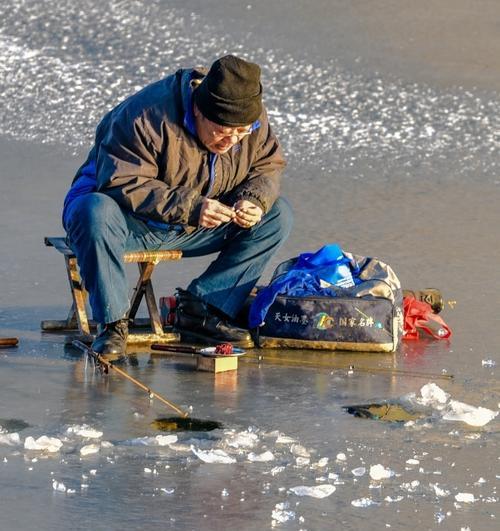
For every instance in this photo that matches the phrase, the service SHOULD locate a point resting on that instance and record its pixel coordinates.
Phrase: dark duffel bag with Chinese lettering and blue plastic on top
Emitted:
(330, 300)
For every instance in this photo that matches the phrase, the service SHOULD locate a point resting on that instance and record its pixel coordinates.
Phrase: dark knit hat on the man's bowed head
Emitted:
(231, 93)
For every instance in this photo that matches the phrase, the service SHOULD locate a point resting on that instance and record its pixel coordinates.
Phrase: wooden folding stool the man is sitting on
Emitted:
(77, 318)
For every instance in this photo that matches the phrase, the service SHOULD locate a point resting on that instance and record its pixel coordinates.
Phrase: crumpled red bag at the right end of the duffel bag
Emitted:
(419, 315)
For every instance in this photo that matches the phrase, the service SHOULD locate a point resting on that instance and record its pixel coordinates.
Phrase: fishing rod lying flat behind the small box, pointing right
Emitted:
(290, 361)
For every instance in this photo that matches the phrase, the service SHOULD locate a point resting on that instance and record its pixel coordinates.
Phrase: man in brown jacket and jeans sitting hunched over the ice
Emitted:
(190, 163)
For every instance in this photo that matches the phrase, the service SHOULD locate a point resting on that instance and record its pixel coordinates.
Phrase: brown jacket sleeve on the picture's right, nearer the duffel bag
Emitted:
(262, 185)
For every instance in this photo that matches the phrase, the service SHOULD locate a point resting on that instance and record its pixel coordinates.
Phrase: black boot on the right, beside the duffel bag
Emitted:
(197, 320)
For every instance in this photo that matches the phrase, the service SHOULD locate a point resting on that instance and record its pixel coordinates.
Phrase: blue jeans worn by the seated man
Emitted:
(100, 232)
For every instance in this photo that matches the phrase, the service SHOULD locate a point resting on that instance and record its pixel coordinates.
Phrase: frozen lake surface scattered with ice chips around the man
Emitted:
(389, 117)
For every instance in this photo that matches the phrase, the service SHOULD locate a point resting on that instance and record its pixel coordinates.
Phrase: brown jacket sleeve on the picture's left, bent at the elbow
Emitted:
(127, 171)
